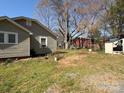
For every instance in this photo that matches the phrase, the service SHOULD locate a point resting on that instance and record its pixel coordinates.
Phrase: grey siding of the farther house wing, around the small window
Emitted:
(38, 31)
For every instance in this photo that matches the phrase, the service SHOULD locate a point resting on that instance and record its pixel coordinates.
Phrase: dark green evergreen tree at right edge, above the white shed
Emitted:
(117, 17)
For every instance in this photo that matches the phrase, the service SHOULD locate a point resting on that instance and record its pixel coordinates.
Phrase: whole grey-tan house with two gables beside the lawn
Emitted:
(21, 36)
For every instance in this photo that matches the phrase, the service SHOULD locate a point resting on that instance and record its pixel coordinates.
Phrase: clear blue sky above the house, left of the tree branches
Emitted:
(13, 8)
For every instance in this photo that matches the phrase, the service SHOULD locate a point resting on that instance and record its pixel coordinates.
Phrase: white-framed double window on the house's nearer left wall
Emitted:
(8, 38)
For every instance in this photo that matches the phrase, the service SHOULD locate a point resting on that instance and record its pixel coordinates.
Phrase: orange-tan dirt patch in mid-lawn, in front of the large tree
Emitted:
(73, 60)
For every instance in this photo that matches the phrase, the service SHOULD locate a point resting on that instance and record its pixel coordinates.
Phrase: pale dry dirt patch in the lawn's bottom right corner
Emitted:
(103, 83)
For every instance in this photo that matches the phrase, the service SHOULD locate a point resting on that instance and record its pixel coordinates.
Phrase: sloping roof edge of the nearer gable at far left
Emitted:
(16, 24)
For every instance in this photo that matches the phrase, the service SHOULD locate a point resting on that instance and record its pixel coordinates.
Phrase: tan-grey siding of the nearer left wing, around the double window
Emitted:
(21, 49)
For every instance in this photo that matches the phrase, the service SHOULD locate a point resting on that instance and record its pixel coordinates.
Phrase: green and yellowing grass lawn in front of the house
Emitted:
(39, 75)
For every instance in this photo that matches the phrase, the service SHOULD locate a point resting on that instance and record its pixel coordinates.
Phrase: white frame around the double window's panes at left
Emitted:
(6, 37)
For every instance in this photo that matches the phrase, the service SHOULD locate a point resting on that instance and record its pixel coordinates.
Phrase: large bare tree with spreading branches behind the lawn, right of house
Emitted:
(73, 16)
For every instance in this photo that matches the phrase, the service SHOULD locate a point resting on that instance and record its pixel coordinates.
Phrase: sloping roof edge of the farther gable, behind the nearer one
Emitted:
(27, 18)
